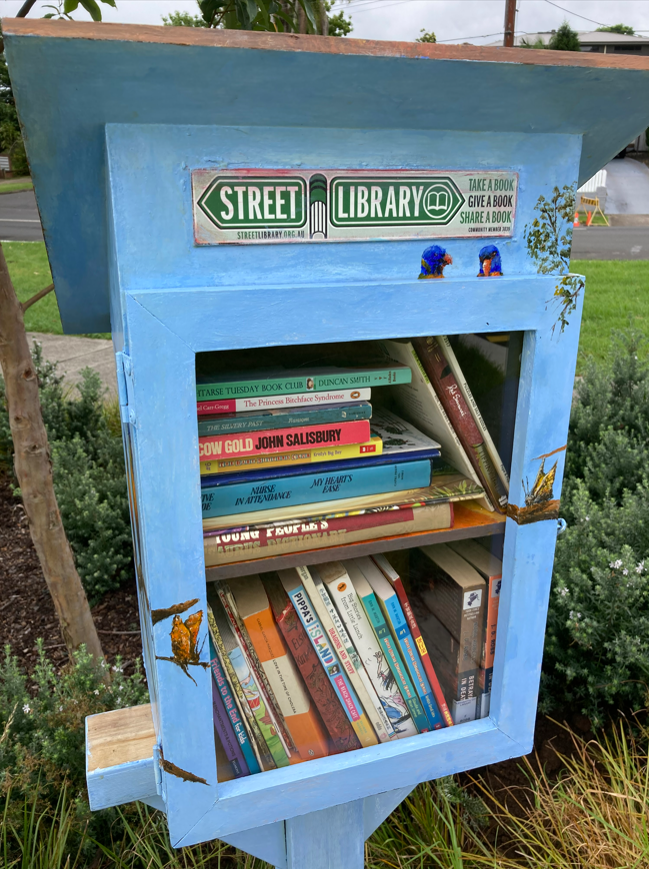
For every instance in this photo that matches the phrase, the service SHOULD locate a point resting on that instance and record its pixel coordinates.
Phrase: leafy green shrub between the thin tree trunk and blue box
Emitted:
(89, 475)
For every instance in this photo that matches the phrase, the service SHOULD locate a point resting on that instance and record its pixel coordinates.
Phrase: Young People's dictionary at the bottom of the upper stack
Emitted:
(263, 541)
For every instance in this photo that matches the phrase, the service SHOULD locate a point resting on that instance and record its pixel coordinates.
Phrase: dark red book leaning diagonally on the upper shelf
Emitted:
(448, 390)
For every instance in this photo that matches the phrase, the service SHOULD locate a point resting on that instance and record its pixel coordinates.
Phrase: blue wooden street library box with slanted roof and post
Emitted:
(138, 138)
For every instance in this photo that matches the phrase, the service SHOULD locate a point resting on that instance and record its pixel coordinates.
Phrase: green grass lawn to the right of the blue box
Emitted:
(616, 293)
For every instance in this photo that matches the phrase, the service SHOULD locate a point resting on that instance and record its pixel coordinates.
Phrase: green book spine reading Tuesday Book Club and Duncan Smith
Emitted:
(284, 384)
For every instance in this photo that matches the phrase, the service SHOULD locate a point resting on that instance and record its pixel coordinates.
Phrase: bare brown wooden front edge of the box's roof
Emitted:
(199, 36)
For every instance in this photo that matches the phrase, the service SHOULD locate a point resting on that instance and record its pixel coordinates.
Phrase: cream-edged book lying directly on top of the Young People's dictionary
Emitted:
(445, 488)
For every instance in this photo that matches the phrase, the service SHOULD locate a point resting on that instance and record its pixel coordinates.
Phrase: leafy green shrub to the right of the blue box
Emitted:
(596, 656)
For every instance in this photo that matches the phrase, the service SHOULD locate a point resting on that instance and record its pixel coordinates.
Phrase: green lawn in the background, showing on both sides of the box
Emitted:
(615, 292)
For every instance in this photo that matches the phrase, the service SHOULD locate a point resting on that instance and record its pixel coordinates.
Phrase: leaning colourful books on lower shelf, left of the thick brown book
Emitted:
(308, 662)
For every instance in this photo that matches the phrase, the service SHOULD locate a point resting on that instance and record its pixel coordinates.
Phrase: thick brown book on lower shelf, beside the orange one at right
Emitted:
(452, 623)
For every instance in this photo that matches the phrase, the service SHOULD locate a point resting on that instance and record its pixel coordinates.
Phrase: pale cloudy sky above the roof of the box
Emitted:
(479, 21)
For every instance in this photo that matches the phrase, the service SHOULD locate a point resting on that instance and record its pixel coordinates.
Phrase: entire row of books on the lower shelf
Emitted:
(313, 661)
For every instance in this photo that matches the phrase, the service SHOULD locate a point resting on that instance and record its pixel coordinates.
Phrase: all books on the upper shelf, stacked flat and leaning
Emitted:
(297, 459)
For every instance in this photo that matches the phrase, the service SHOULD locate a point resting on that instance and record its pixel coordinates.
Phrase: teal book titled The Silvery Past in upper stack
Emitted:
(256, 421)
